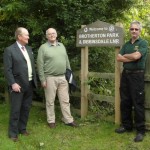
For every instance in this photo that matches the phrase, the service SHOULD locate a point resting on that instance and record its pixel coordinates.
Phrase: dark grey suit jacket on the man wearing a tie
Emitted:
(15, 66)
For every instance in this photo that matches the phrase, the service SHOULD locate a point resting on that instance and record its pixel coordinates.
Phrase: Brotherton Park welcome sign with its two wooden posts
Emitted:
(99, 34)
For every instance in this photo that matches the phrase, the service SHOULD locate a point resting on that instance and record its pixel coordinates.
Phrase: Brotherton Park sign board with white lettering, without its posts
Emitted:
(99, 34)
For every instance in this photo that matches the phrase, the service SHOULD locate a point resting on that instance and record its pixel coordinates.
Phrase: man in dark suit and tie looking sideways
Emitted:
(21, 77)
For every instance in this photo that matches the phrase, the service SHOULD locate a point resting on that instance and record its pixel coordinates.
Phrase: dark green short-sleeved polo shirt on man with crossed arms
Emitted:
(128, 48)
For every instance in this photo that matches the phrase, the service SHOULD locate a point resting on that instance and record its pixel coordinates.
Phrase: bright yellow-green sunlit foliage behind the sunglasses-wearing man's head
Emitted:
(139, 11)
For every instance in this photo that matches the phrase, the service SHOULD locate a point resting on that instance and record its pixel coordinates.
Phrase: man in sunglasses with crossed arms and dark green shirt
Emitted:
(133, 55)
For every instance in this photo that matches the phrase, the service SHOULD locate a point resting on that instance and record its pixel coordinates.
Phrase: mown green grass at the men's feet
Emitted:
(90, 135)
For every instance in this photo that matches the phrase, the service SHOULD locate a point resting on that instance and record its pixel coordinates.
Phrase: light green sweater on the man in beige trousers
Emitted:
(52, 60)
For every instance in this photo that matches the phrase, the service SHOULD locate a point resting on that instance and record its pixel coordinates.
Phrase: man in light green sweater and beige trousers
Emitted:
(52, 62)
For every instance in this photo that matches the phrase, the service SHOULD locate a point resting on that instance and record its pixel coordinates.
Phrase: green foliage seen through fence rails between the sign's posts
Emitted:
(102, 110)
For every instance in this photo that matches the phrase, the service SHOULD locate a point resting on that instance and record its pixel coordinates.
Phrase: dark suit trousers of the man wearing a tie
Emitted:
(20, 104)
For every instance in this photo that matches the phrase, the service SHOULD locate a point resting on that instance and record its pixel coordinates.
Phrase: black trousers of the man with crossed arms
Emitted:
(132, 98)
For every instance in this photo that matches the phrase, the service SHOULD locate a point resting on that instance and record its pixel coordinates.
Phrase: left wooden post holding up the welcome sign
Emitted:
(84, 78)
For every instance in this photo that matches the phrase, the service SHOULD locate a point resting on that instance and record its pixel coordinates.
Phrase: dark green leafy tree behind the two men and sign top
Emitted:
(66, 16)
